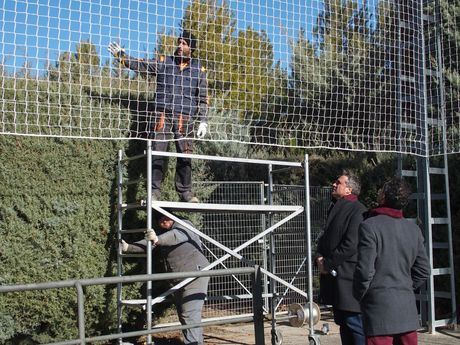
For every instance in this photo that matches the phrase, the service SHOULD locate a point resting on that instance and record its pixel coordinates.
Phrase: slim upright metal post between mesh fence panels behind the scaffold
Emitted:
(273, 300)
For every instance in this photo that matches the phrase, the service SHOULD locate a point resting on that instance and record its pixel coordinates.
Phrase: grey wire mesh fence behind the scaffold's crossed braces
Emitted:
(231, 295)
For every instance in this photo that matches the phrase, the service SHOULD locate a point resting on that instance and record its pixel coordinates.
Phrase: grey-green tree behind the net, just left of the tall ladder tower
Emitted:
(343, 87)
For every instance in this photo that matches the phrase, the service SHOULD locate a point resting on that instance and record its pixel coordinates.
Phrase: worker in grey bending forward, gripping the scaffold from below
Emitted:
(182, 252)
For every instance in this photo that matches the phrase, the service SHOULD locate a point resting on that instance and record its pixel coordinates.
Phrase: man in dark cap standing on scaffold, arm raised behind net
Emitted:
(181, 99)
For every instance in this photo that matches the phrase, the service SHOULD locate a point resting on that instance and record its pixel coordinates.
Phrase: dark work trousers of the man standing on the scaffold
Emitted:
(165, 127)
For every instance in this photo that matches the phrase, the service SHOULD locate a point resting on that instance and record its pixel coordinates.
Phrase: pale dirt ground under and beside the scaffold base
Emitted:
(243, 334)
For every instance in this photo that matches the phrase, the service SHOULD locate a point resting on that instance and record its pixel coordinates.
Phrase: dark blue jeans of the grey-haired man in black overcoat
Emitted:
(351, 327)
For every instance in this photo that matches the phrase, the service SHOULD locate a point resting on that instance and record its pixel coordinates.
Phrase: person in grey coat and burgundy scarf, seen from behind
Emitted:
(392, 263)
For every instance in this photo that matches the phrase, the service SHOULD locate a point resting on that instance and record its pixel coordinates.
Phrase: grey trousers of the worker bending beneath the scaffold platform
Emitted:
(189, 303)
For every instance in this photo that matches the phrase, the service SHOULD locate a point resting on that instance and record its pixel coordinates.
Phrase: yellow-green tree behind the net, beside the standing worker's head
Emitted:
(239, 62)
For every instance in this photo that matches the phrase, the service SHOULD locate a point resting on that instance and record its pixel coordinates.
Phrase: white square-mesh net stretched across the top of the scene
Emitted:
(356, 75)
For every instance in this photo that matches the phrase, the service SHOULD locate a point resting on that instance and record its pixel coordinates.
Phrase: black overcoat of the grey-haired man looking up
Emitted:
(339, 245)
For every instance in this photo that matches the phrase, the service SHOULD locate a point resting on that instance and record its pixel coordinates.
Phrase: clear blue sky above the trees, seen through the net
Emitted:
(40, 30)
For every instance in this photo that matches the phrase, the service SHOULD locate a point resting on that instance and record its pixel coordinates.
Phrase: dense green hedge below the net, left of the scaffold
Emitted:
(55, 216)
